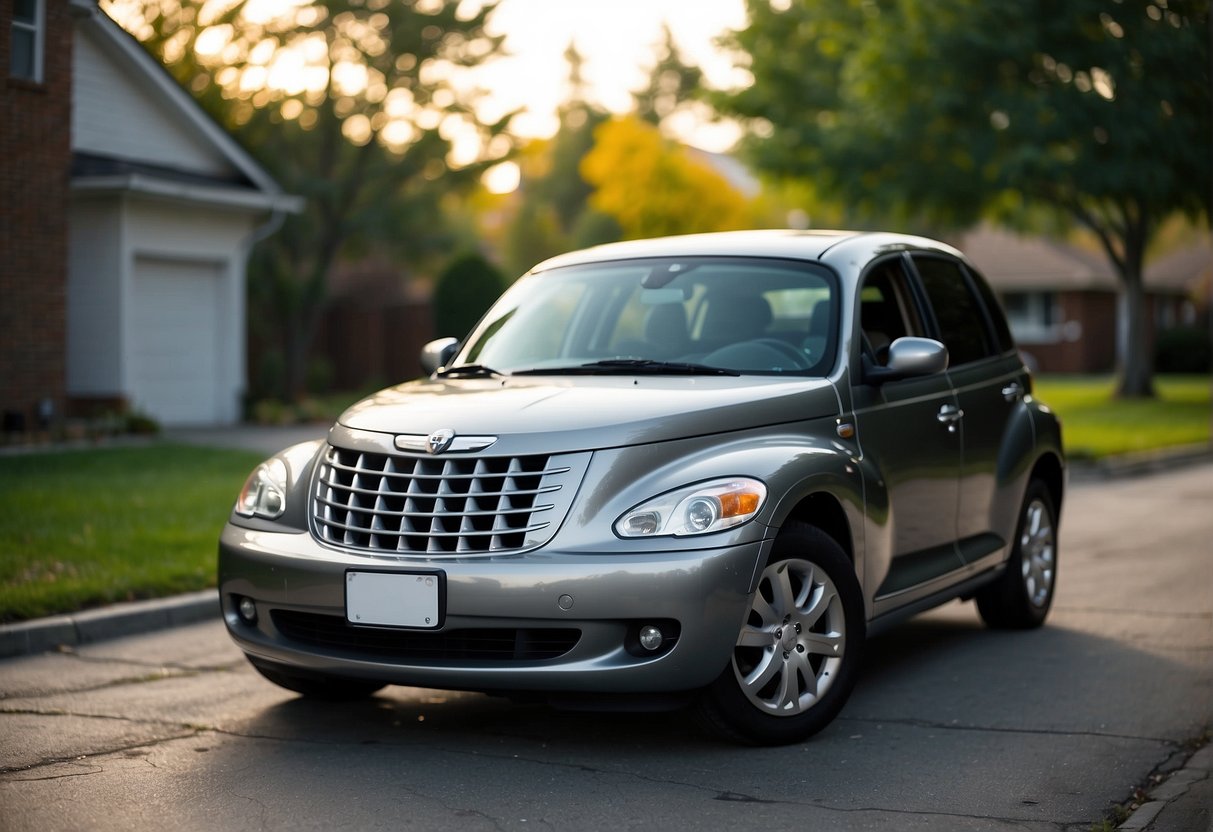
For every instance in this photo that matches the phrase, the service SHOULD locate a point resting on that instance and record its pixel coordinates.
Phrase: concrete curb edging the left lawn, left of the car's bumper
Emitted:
(42, 635)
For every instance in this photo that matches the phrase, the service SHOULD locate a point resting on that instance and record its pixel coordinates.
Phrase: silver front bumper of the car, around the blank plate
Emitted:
(595, 602)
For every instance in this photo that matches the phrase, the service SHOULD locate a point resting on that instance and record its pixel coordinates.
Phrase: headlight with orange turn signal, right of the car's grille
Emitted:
(696, 510)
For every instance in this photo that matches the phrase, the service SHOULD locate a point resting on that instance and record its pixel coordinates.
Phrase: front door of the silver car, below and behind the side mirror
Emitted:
(907, 432)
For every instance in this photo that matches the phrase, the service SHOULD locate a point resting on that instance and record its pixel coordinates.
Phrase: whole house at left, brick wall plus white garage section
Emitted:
(132, 233)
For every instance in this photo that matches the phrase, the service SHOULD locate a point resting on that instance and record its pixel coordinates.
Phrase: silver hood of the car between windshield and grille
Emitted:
(580, 414)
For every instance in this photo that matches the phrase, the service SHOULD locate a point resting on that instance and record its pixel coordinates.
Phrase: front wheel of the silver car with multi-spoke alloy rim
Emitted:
(799, 652)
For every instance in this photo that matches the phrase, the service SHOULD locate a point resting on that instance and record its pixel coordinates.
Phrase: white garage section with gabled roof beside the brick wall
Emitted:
(164, 210)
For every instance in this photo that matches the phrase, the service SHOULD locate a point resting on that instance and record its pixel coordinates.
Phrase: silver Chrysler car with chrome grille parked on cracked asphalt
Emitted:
(688, 472)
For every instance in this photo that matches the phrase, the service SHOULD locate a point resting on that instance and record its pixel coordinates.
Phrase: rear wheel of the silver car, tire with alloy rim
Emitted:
(1021, 599)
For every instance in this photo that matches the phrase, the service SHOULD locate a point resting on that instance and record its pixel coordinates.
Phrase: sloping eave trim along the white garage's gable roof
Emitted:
(126, 47)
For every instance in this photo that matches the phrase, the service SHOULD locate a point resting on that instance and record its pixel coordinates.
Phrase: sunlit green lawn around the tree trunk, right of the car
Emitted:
(1096, 425)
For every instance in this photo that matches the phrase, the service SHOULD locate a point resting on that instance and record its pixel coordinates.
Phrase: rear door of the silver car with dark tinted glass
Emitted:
(989, 381)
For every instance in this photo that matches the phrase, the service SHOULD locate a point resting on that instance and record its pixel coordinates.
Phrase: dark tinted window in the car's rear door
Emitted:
(960, 315)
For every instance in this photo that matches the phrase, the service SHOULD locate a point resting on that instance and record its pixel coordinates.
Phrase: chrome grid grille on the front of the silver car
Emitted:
(452, 505)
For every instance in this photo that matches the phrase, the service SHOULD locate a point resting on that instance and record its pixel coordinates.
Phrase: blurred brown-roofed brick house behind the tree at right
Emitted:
(1062, 301)
